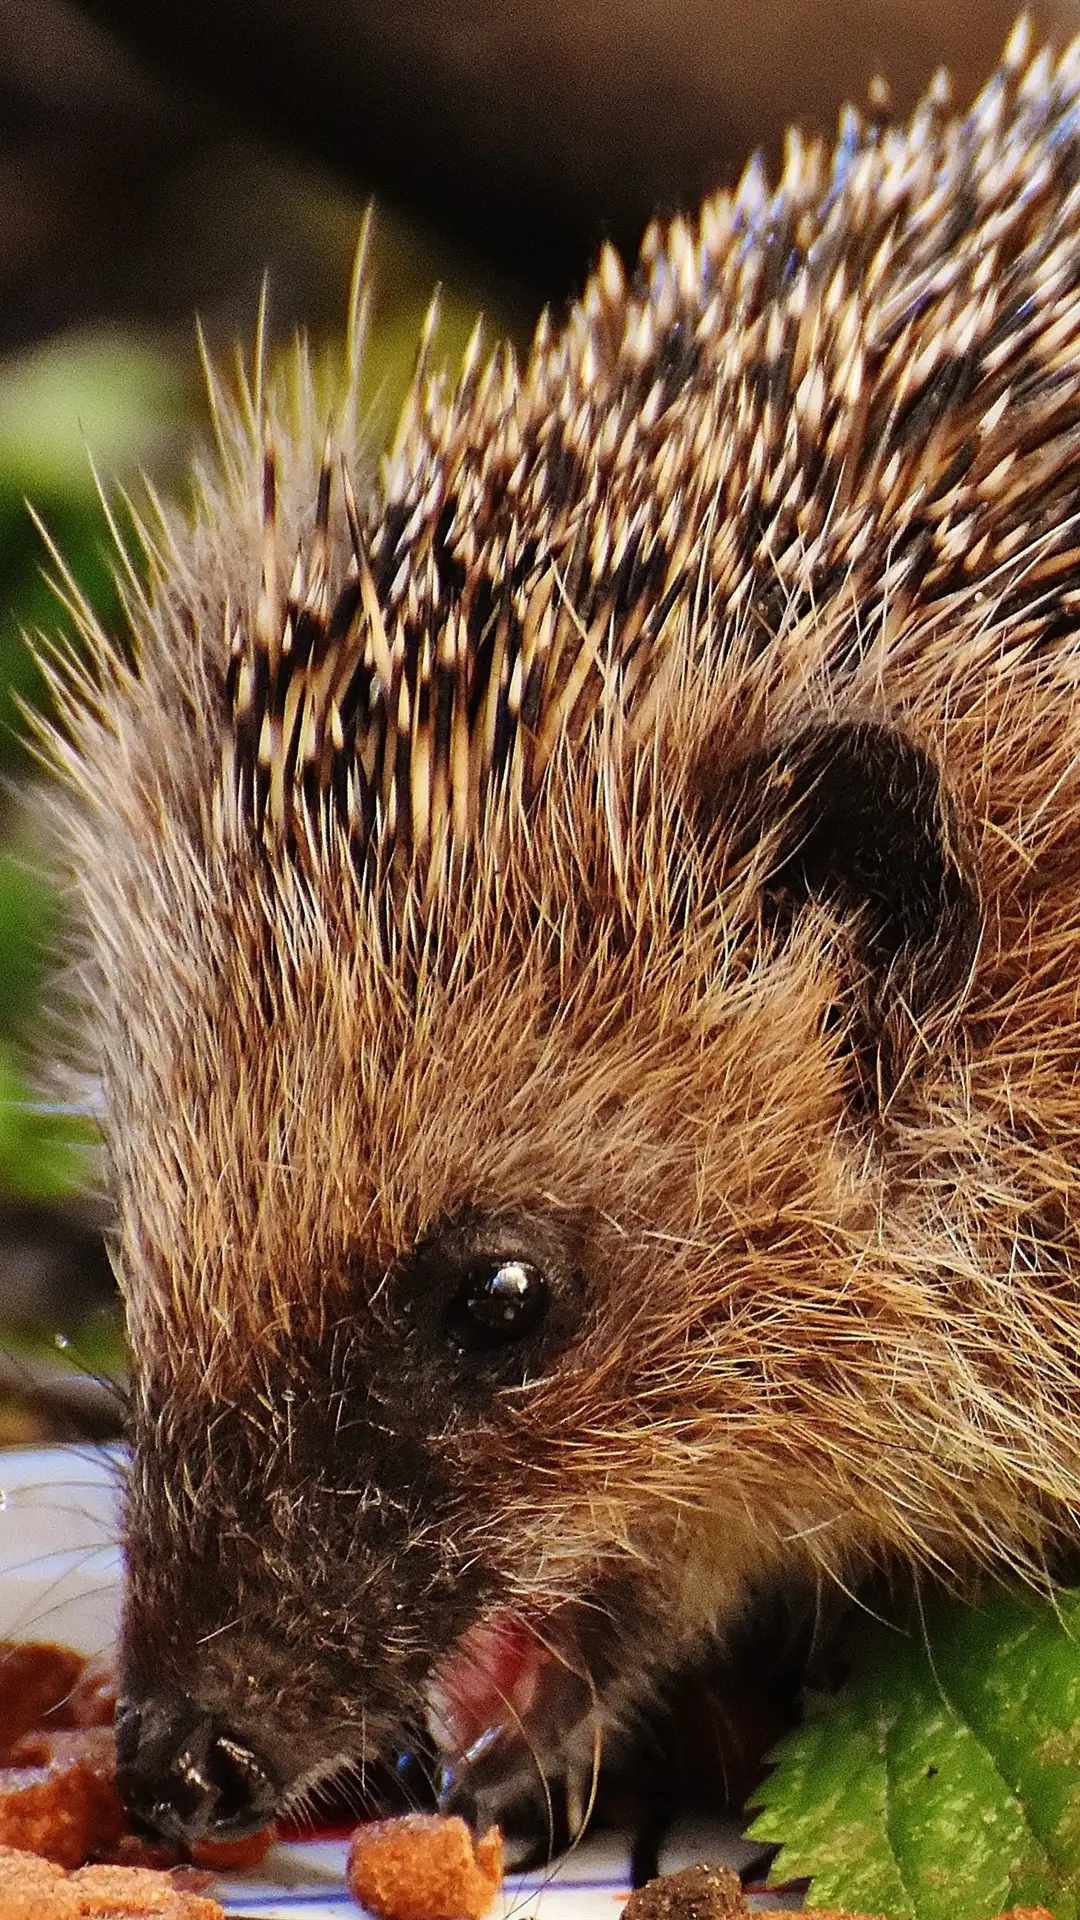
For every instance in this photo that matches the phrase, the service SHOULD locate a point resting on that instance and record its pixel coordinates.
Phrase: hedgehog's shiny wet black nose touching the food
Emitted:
(185, 1775)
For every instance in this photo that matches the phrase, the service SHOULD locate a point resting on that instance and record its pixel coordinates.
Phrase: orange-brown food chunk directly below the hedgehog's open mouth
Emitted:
(426, 1867)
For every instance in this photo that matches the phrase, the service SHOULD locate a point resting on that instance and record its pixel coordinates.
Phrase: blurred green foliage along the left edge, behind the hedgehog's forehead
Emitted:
(57, 404)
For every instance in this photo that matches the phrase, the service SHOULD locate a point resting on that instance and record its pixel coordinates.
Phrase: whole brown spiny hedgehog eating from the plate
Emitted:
(581, 926)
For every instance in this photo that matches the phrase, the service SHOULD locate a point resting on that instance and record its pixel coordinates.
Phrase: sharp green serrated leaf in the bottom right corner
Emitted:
(943, 1783)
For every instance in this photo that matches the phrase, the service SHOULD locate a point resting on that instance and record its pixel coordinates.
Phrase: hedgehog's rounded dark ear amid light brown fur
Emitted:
(864, 825)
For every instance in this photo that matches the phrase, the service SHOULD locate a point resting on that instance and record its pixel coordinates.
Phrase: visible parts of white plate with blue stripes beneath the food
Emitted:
(61, 1579)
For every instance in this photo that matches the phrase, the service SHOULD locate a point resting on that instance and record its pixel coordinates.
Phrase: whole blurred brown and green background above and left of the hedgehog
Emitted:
(155, 164)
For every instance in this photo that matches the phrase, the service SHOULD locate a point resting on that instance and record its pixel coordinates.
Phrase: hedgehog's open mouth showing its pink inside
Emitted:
(504, 1712)
